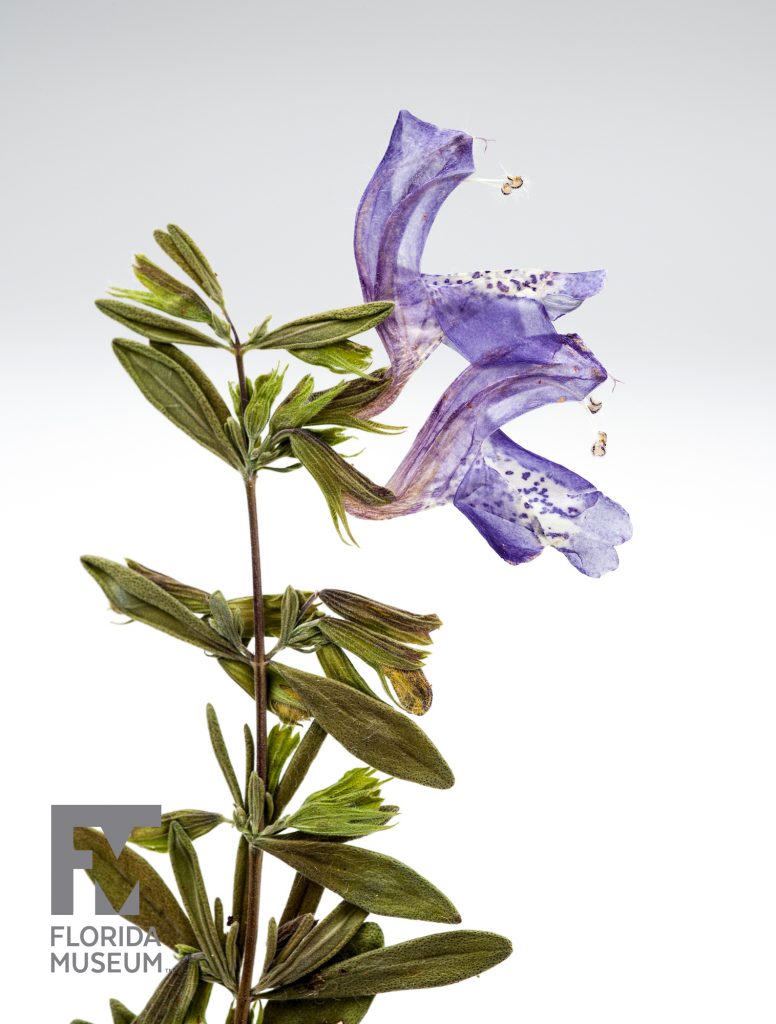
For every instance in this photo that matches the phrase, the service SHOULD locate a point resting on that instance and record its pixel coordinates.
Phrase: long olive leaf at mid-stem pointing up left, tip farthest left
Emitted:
(136, 596)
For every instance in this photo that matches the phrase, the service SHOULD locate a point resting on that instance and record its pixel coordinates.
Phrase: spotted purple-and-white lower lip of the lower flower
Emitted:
(523, 503)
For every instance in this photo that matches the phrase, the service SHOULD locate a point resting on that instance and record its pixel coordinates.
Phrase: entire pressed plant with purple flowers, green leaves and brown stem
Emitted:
(306, 968)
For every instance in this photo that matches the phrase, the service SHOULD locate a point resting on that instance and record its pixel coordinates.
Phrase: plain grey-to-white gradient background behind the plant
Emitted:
(614, 740)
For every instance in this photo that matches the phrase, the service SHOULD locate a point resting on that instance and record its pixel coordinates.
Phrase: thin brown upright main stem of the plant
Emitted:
(253, 894)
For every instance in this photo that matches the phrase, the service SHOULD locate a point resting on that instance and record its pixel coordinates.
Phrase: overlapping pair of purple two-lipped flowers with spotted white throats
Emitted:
(502, 322)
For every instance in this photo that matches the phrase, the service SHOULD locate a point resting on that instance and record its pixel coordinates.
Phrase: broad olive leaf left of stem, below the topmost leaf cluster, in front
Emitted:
(178, 396)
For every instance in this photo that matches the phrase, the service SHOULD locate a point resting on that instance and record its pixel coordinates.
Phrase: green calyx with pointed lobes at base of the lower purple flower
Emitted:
(336, 479)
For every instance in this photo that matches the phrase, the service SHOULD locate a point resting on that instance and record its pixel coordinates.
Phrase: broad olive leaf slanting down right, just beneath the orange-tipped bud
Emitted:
(372, 731)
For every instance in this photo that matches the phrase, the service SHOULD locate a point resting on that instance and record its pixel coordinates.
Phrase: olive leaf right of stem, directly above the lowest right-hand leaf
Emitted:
(369, 880)
